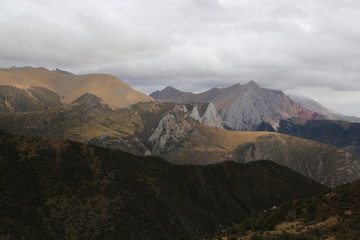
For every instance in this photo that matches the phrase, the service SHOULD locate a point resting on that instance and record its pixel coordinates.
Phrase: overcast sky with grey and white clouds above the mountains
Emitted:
(303, 47)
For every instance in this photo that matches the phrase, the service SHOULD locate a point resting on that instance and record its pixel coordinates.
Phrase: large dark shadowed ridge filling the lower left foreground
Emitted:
(54, 189)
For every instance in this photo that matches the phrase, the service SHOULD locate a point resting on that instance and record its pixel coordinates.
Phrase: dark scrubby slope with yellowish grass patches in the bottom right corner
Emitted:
(330, 215)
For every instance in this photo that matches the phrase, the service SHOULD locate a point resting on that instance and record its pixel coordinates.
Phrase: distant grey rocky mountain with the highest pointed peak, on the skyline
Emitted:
(243, 107)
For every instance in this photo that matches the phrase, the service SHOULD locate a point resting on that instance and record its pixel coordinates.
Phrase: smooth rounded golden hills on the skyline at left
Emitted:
(113, 91)
